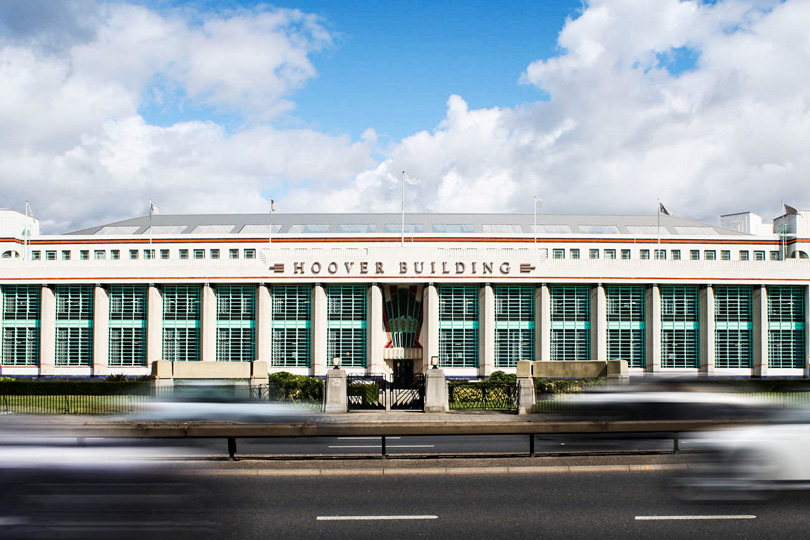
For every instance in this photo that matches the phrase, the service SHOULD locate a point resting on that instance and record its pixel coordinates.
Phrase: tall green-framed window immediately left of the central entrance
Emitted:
(346, 323)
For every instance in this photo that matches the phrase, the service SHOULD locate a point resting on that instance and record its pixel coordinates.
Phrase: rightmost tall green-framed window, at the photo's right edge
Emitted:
(786, 327)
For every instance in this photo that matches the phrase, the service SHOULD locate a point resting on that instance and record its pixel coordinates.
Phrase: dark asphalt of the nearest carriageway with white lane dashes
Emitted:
(487, 506)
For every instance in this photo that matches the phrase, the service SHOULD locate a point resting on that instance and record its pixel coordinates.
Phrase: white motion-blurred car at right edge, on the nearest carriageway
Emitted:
(750, 463)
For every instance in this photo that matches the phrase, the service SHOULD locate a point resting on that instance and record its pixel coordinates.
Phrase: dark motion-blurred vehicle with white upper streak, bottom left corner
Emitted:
(53, 486)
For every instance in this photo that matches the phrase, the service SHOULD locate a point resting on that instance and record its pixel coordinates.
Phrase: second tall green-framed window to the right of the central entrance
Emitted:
(514, 325)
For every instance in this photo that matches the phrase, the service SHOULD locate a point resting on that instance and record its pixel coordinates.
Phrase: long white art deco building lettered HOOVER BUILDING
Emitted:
(479, 291)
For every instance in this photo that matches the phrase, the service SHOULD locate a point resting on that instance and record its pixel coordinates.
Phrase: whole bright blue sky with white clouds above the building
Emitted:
(595, 106)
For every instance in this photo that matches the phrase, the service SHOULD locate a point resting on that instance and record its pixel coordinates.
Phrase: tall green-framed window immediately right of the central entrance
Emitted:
(458, 326)
